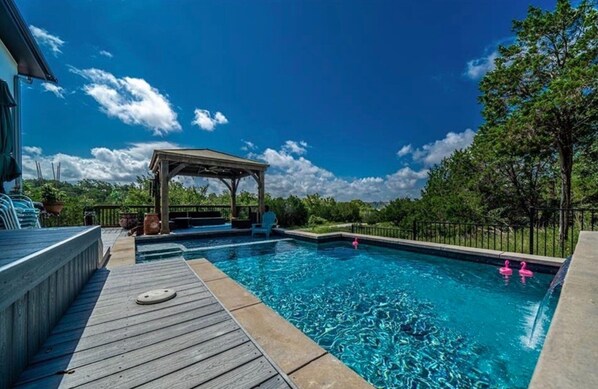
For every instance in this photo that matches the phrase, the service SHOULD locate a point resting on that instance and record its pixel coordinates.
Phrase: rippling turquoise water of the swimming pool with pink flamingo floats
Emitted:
(397, 318)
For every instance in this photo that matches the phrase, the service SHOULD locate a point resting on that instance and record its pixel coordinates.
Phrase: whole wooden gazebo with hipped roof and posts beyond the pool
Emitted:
(229, 169)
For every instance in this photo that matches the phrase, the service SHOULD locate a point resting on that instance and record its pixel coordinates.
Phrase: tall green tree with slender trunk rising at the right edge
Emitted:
(543, 89)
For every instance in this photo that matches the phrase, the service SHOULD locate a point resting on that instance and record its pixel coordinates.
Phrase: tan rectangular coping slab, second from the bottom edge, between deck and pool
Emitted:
(288, 346)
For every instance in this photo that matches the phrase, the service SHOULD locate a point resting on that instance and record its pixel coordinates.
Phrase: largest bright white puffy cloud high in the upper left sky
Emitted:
(132, 100)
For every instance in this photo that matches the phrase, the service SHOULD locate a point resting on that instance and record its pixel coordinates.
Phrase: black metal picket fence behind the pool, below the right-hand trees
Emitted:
(540, 234)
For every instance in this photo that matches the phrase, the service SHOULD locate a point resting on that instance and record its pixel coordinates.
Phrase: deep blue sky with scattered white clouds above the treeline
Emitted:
(351, 99)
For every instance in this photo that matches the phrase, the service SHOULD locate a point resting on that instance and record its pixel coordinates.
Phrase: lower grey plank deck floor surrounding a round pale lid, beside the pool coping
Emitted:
(106, 340)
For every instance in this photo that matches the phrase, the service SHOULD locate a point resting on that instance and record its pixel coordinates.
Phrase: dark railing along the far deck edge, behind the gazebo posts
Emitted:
(109, 215)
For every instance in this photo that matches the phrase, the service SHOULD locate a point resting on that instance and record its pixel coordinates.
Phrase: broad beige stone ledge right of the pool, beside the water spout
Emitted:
(569, 358)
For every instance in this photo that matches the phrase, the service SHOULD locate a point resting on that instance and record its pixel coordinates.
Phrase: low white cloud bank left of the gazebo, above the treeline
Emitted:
(114, 165)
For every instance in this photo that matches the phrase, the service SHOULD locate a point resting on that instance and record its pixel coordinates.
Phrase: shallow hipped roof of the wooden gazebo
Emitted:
(205, 163)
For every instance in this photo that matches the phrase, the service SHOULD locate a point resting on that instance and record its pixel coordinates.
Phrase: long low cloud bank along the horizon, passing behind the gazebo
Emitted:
(289, 173)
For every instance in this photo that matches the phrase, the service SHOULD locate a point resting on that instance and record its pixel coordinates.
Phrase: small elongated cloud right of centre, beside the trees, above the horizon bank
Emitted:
(434, 152)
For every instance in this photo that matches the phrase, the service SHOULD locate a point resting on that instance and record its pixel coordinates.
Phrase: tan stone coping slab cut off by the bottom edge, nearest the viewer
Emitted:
(329, 373)
